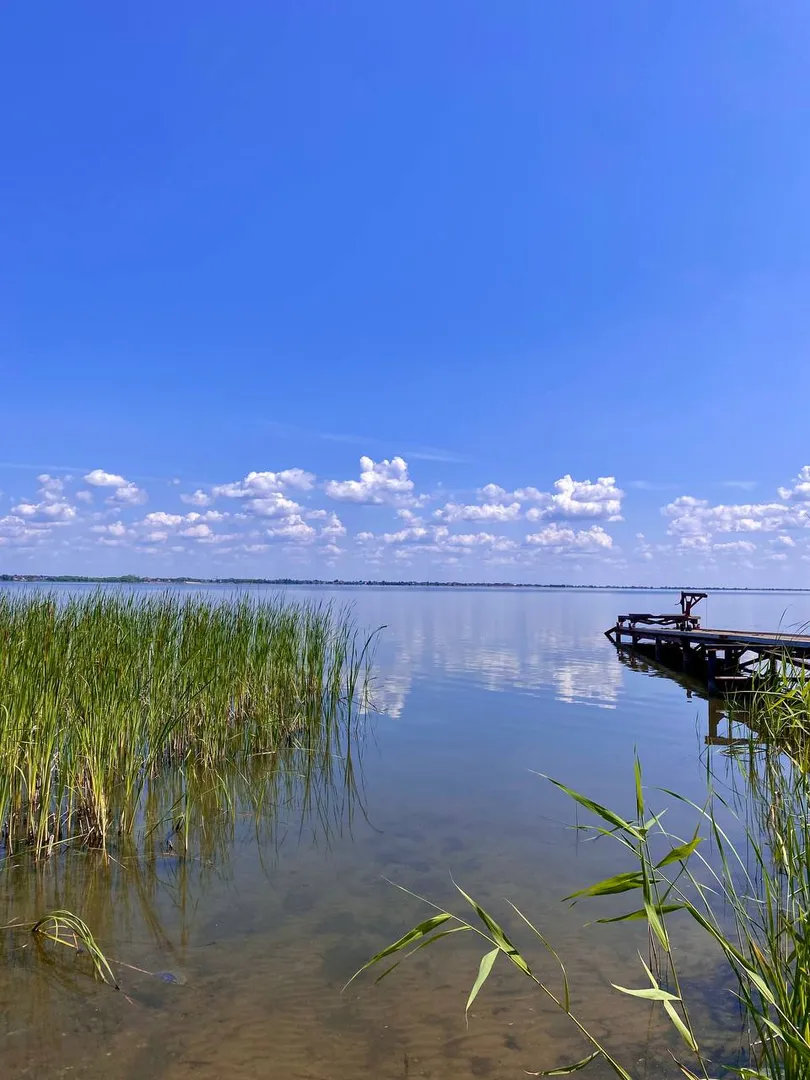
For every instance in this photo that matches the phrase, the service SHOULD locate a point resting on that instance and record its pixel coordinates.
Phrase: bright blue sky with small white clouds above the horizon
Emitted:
(544, 268)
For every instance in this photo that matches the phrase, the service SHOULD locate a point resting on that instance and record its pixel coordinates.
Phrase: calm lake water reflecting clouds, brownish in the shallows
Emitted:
(475, 691)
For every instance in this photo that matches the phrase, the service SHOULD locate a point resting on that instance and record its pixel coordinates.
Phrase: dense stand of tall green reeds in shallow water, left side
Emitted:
(102, 694)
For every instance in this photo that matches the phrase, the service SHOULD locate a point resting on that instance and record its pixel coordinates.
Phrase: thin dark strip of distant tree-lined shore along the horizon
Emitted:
(131, 579)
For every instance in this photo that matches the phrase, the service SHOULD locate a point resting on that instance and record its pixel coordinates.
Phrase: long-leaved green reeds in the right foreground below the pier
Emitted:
(742, 876)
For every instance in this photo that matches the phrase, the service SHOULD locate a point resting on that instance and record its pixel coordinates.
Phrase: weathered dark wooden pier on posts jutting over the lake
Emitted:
(724, 660)
